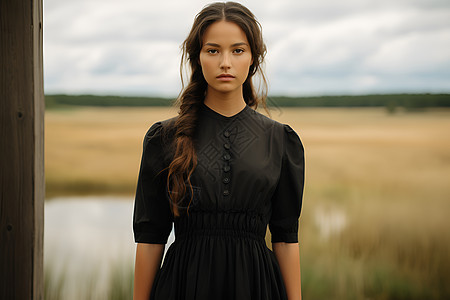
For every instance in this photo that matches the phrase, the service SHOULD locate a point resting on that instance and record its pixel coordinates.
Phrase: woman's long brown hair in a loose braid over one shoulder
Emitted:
(192, 95)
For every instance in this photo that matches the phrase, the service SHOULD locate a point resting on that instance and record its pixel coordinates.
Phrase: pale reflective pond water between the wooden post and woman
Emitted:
(85, 239)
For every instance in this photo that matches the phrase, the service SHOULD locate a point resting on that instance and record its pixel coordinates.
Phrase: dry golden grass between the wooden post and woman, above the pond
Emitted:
(96, 150)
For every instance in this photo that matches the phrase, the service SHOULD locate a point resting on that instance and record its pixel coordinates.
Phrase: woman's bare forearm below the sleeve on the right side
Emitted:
(288, 258)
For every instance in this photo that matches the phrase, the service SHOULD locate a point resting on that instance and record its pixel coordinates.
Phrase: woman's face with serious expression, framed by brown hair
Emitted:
(225, 57)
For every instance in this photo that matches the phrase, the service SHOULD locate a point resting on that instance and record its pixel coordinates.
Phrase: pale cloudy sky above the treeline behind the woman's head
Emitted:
(315, 47)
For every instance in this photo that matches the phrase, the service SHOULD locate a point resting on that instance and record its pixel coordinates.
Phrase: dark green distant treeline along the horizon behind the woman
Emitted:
(390, 101)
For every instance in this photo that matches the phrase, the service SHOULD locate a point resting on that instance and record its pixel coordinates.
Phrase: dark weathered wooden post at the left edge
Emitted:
(21, 150)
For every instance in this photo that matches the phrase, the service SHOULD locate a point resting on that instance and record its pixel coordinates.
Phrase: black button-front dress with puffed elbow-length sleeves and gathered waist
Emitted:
(250, 174)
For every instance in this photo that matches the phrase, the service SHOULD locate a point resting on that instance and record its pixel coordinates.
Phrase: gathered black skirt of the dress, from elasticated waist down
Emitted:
(219, 256)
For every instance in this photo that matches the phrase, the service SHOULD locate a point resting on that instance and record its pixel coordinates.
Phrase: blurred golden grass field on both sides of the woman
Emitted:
(375, 220)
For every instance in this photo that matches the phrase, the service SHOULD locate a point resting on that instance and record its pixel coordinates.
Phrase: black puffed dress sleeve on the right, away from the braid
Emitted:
(288, 195)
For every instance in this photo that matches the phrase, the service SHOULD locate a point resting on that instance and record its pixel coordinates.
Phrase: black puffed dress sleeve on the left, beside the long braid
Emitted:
(152, 218)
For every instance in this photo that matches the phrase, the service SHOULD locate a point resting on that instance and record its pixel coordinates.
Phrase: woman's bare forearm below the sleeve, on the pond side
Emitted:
(148, 262)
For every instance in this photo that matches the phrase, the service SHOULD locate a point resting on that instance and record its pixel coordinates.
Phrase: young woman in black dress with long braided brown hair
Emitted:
(221, 172)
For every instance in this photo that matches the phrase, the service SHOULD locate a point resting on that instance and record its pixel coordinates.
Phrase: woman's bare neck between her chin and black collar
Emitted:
(227, 104)
